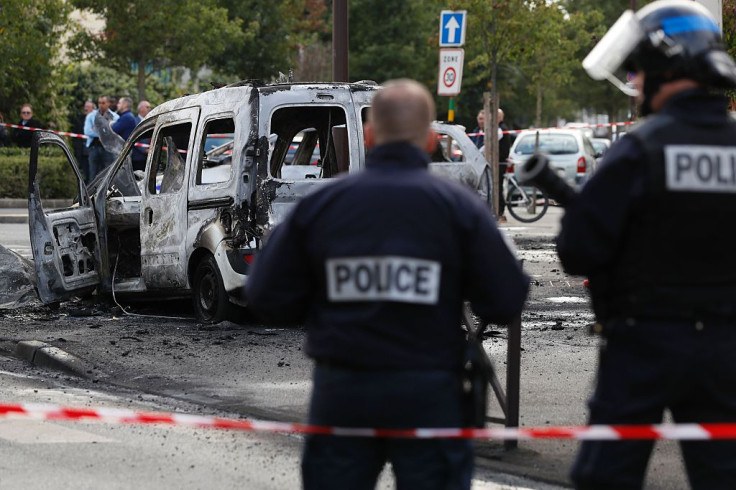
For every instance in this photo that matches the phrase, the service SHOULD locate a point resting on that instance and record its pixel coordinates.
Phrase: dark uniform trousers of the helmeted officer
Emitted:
(645, 367)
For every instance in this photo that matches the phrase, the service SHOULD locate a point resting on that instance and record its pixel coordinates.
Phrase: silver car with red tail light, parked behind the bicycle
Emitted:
(570, 152)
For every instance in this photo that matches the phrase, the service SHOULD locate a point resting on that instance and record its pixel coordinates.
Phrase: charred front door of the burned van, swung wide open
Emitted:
(64, 240)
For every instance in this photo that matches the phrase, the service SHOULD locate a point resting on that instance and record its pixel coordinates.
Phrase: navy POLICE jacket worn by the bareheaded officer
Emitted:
(378, 264)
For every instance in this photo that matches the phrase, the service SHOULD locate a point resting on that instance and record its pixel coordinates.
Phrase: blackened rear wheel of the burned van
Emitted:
(211, 302)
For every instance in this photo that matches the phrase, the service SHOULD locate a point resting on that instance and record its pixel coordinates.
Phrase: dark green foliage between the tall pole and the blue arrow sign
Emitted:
(393, 39)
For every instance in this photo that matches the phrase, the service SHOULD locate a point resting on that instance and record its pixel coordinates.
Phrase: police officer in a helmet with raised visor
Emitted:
(653, 232)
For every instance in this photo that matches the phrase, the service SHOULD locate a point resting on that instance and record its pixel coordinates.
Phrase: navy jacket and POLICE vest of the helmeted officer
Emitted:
(652, 227)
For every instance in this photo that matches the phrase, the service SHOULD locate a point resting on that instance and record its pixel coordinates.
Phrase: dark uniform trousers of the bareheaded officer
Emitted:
(406, 399)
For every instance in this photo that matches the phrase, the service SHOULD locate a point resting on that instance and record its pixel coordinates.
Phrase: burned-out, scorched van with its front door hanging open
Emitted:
(186, 204)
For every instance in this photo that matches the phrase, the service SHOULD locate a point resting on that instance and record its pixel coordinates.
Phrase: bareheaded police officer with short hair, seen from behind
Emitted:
(377, 264)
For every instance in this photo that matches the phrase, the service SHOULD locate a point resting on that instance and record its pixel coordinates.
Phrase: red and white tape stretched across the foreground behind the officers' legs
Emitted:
(592, 432)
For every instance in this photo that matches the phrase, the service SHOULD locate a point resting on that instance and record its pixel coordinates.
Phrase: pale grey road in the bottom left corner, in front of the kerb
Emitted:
(52, 454)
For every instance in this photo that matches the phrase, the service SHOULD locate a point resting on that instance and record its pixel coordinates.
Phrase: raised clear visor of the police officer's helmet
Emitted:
(609, 55)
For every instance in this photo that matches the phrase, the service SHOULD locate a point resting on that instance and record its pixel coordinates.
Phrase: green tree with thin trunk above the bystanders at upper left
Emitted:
(158, 34)
